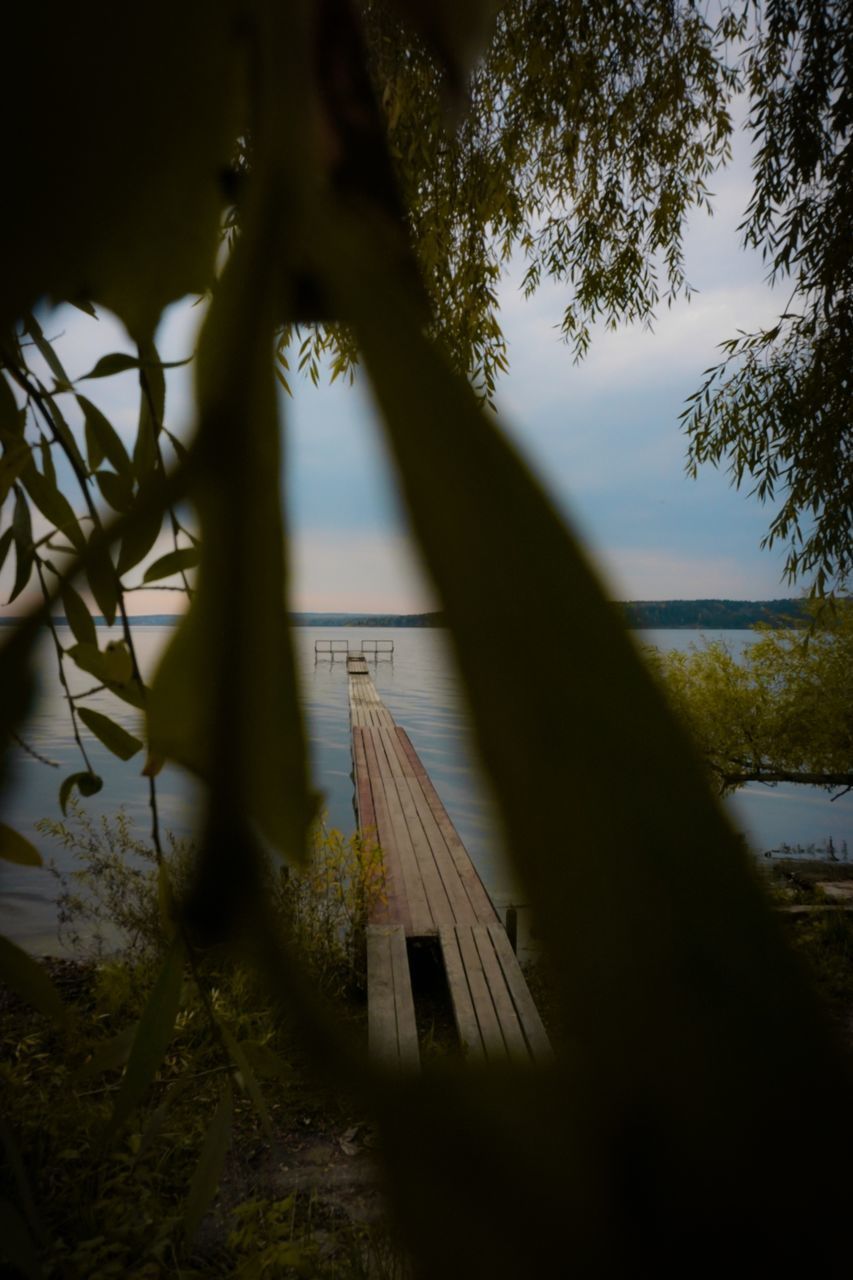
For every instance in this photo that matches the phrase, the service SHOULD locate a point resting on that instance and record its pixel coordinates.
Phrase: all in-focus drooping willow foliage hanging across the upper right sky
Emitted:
(592, 132)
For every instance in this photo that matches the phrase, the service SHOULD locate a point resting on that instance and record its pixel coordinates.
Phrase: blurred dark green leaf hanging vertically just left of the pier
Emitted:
(226, 703)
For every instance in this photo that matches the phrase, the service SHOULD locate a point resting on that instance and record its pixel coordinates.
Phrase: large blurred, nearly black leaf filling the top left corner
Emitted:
(139, 231)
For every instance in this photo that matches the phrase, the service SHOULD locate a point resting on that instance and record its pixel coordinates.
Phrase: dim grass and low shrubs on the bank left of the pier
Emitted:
(299, 1200)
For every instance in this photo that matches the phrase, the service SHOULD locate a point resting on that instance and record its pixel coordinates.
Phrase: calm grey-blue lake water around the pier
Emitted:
(422, 692)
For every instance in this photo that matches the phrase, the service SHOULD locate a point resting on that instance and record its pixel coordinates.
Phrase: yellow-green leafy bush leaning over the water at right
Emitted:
(781, 714)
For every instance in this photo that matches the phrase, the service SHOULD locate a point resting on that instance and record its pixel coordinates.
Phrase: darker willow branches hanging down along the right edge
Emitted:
(778, 406)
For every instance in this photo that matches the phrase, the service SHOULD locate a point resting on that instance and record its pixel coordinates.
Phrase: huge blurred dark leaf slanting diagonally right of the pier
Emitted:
(665, 953)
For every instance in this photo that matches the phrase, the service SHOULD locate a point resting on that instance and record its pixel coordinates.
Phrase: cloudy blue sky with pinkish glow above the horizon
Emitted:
(604, 436)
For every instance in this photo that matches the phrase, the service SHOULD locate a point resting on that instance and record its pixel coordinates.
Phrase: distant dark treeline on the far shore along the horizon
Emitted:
(641, 615)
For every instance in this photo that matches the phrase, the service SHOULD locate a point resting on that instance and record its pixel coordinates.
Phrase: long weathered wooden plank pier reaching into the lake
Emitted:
(432, 893)
